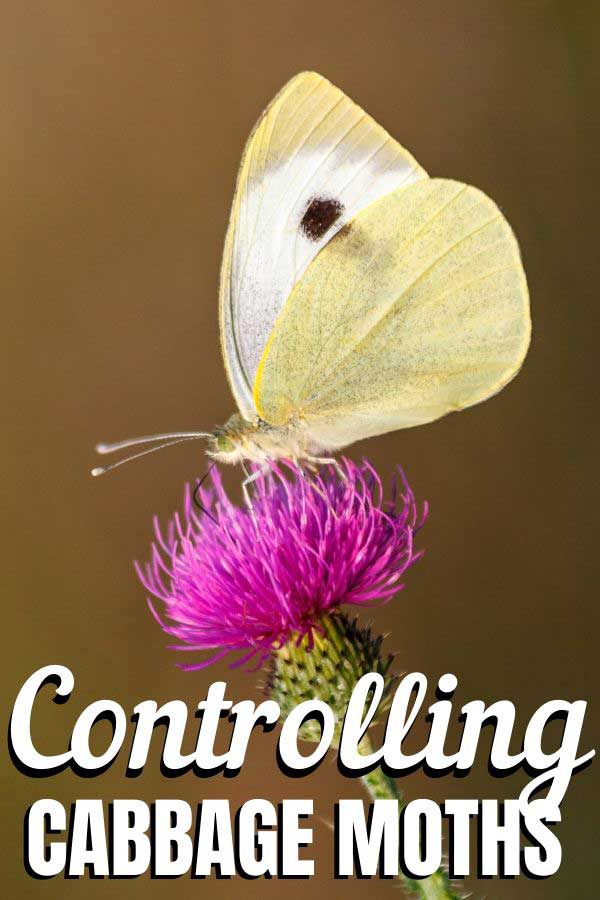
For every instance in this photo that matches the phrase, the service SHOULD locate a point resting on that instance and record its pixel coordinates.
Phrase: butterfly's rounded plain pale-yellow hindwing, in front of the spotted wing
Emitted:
(417, 308)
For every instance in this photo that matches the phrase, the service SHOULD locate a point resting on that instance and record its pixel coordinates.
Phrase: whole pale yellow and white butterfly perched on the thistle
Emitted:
(358, 295)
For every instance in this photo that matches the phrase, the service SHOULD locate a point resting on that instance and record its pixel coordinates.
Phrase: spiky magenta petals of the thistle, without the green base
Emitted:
(236, 579)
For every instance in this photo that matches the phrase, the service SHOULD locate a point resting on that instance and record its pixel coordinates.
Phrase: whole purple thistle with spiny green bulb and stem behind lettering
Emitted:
(270, 581)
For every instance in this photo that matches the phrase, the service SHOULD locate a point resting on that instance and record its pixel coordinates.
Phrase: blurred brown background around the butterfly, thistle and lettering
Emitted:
(123, 125)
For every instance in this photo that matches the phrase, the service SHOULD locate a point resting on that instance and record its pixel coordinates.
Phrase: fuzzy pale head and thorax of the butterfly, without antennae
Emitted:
(257, 441)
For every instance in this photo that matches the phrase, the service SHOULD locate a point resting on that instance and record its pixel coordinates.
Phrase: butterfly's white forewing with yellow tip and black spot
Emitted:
(313, 161)
